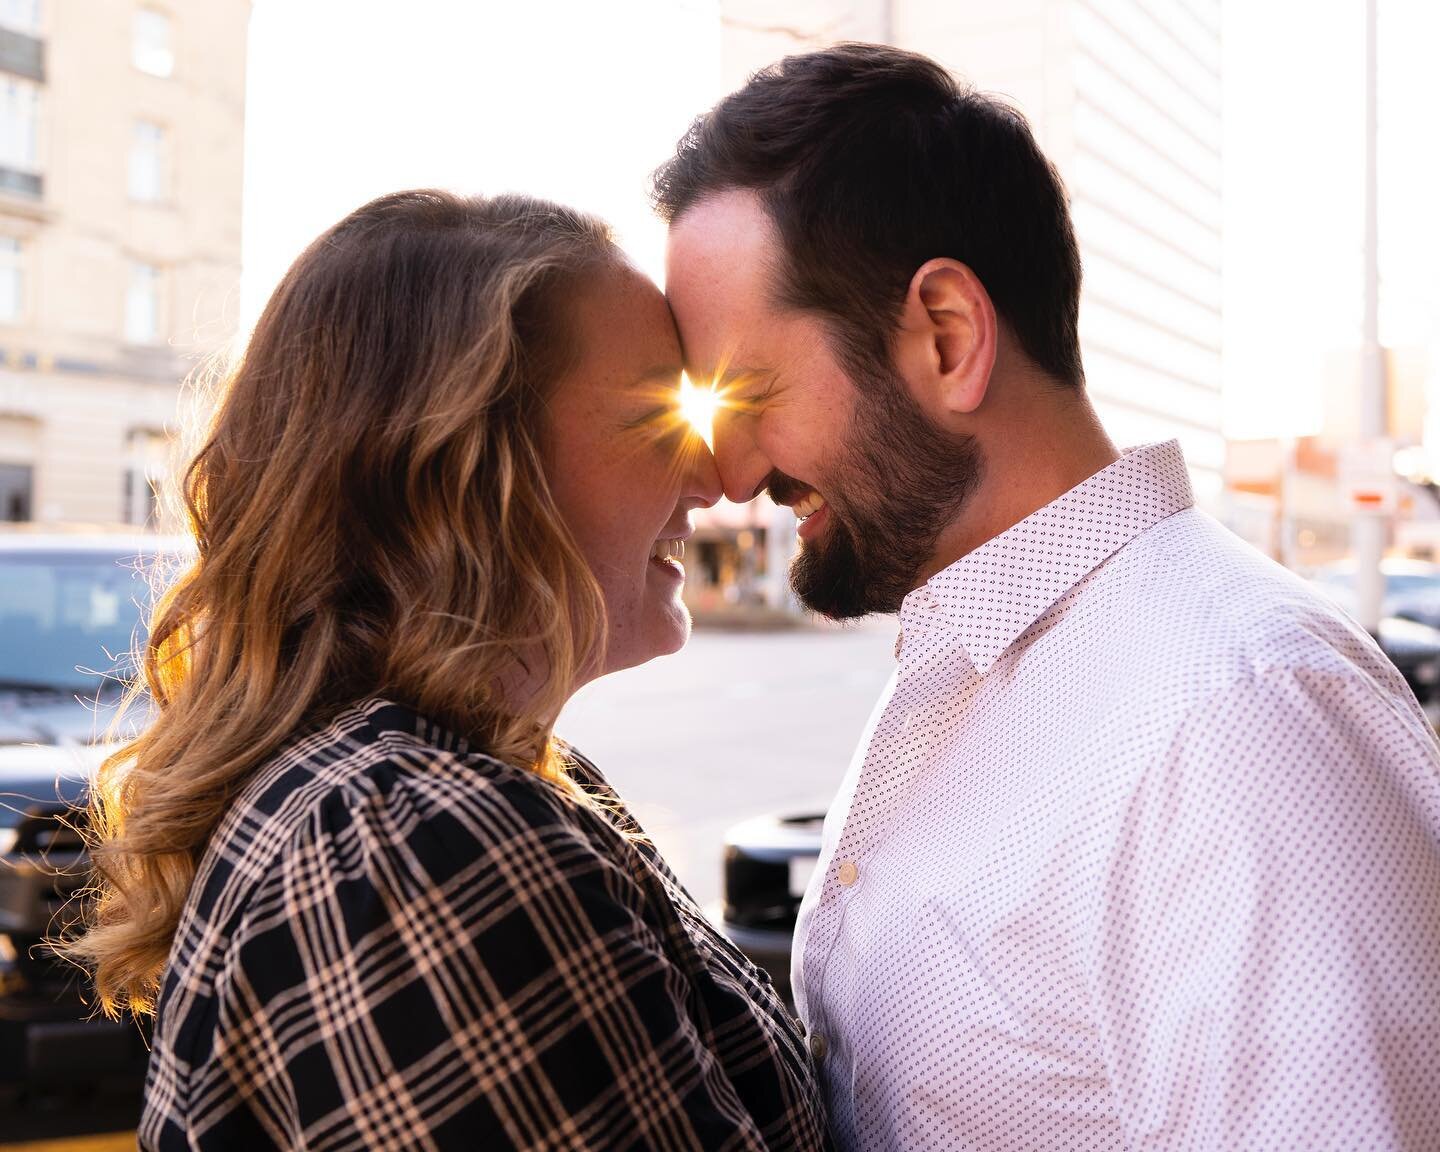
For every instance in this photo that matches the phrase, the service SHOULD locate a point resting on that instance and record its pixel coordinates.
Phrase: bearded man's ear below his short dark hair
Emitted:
(948, 338)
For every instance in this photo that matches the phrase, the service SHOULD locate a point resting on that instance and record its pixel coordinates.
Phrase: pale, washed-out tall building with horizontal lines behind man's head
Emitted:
(1125, 99)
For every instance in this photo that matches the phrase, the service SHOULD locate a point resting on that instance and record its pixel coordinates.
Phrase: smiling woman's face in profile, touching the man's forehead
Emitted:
(624, 467)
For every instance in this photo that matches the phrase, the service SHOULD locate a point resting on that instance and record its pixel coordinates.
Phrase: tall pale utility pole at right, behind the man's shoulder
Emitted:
(1370, 525)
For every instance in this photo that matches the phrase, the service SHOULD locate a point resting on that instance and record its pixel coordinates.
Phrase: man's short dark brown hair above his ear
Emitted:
(870, 162)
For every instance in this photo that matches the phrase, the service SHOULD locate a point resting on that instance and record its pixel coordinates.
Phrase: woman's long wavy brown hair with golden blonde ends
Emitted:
(372, 519)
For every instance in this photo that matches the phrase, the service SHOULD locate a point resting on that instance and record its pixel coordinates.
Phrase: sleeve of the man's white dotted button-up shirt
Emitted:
(1268, 967)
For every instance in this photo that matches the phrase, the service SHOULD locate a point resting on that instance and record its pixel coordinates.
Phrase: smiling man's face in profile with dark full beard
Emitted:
(870, 477)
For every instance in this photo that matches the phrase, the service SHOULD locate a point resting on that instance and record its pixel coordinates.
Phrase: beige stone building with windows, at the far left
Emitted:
(122, 145)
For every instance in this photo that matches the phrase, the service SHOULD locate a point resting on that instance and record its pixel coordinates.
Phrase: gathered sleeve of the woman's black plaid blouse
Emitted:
(454, 973)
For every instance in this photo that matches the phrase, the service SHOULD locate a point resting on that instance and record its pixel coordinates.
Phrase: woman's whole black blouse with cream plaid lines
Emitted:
(398, 942)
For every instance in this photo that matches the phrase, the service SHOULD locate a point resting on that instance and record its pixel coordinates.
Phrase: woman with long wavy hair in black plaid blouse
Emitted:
(372, 901)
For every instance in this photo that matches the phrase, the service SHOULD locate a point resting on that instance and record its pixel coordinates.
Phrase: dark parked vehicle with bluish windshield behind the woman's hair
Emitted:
(71, 606)
